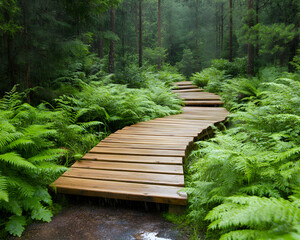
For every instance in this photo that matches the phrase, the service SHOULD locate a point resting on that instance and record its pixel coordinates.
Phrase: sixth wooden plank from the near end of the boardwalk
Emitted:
(139, 145)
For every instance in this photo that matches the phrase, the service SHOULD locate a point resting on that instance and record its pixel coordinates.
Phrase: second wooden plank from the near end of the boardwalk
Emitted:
(120, 176)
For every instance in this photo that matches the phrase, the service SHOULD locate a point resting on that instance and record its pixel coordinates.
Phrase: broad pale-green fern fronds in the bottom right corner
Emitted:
(258, 215)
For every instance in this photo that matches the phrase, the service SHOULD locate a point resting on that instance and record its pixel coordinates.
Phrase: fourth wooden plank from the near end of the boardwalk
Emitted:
(133, 159)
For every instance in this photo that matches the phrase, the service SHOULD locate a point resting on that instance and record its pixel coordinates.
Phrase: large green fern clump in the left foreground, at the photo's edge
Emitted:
(27, 165)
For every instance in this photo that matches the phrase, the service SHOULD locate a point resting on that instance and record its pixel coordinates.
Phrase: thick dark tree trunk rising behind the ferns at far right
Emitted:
(251, 50)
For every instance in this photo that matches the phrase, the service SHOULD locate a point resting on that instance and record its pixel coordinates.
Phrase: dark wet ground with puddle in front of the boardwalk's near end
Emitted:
(92, 221)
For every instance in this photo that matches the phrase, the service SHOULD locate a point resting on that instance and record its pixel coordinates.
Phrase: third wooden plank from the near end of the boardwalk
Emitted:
(132, 167)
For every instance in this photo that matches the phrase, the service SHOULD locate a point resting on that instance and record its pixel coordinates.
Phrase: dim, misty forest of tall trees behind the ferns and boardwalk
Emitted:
(43, 42)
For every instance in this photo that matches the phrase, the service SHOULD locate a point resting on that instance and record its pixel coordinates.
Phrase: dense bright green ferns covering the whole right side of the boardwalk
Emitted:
(244, 183)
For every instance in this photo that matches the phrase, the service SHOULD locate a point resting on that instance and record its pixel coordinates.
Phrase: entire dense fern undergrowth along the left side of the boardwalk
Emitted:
(38, 143)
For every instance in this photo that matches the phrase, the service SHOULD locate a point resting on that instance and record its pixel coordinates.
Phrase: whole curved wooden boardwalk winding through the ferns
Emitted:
(144, 161)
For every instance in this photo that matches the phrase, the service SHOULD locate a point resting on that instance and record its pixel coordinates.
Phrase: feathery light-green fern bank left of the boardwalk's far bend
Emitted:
(120, 106)
